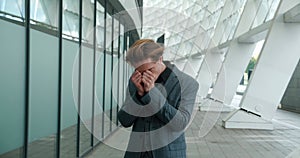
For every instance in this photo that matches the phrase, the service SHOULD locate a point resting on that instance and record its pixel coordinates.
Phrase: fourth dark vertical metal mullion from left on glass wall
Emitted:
(94, 72)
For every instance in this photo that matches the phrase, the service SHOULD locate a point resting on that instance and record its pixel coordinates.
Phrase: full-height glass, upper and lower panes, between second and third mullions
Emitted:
(70, 51)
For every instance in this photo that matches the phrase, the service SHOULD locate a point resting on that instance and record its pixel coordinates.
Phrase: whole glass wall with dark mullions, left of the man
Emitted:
(57, 96)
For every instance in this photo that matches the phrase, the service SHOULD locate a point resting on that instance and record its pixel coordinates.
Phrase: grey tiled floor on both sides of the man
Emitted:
(218, 142)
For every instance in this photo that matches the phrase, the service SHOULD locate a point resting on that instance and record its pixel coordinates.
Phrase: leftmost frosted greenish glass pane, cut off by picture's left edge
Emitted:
(12, 93)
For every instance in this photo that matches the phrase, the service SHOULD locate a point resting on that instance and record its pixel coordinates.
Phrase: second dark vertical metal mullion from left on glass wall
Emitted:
(60, 23)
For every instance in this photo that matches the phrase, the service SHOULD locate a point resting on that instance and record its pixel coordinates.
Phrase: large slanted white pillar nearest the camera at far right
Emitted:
(271, 75)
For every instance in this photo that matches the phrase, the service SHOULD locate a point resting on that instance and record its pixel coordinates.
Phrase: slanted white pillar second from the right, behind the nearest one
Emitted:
(233, 68)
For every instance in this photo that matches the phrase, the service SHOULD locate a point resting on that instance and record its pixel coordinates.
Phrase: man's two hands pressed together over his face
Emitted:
(144, 81)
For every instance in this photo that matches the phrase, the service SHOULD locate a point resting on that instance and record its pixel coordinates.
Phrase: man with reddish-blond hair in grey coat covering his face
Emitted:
(159, 103)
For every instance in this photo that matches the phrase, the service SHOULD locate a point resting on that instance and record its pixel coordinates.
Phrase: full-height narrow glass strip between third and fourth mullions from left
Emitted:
(86, 105)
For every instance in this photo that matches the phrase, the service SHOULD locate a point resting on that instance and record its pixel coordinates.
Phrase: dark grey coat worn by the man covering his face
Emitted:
(160, 117)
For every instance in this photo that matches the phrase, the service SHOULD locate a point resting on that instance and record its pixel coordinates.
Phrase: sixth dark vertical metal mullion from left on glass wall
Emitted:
(111, 74)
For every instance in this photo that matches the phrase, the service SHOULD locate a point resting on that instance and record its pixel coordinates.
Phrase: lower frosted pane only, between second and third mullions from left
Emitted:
(69, 103)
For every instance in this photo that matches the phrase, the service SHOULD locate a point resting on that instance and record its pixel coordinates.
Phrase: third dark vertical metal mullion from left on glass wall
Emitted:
(79, 80)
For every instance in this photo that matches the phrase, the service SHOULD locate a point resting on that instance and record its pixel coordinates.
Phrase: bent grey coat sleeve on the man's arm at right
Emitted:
(175, 118)
